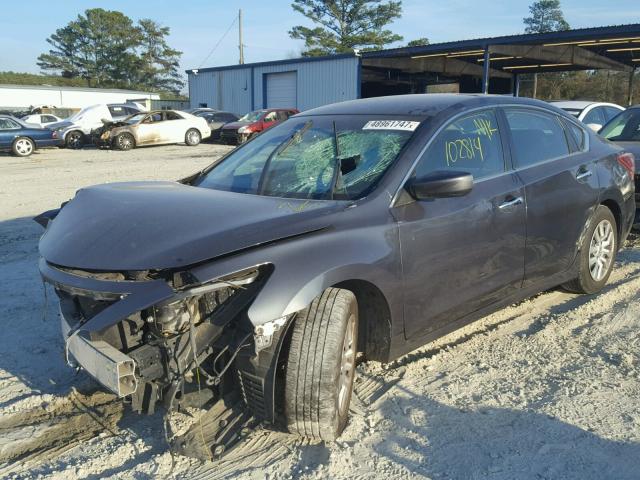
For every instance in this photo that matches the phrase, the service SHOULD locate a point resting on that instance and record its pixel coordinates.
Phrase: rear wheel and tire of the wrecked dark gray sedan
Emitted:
(597, 253)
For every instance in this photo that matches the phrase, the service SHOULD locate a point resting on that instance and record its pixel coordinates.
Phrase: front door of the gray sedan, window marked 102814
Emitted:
(463, 253)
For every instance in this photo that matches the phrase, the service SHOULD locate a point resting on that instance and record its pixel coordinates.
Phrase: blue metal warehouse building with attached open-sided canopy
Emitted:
(486, 65)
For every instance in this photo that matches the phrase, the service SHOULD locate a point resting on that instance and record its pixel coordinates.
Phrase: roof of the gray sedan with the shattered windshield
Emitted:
(418, 105)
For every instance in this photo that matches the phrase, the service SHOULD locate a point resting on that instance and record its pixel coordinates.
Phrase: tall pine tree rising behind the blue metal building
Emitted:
(344, 25)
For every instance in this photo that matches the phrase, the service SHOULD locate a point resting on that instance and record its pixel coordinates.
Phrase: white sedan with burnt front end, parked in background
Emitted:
(159, 127)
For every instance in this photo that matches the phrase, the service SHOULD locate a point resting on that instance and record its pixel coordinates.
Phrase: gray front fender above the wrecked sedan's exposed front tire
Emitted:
(307, 265)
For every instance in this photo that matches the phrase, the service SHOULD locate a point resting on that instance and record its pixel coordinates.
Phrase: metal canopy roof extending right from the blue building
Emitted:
(613, 47)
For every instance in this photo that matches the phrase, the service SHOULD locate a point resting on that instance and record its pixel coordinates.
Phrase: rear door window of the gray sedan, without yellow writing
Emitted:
(536, 137)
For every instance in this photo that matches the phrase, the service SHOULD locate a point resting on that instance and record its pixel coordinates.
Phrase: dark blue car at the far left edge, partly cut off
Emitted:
(22, 139)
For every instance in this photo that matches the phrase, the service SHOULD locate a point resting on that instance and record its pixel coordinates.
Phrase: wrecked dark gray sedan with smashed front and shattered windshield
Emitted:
(370, 226)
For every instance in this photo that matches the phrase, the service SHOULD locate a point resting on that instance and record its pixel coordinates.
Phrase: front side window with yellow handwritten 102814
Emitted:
(471, 144)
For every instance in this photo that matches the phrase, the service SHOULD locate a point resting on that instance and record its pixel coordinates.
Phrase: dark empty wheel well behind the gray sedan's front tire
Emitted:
(374, 316)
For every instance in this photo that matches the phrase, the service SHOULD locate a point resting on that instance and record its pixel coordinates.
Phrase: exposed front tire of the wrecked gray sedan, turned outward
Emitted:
(321, 366)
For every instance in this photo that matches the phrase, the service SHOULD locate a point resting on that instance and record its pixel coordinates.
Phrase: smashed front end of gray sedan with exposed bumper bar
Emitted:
(154, 337)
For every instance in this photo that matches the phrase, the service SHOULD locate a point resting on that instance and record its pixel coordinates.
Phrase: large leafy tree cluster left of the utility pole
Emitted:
(106, 49)
